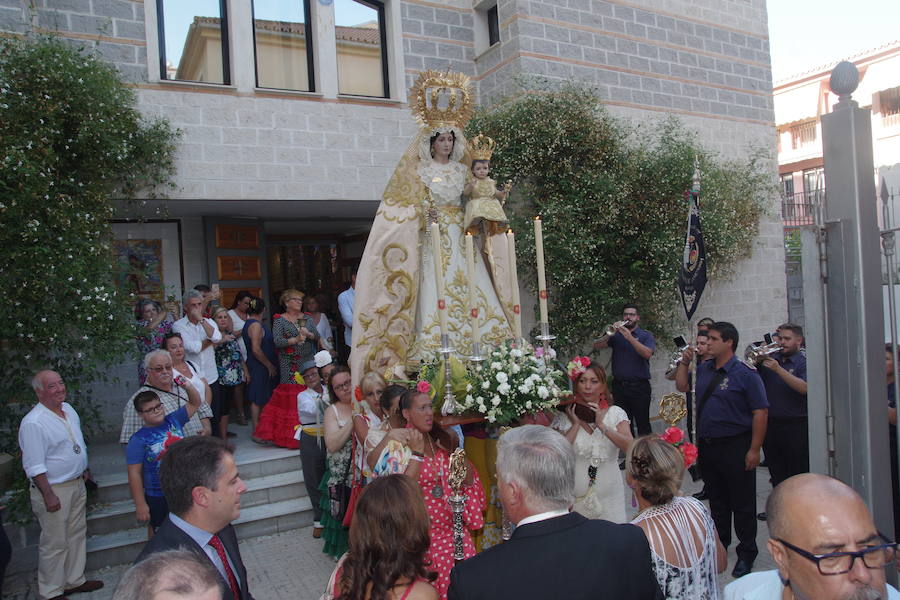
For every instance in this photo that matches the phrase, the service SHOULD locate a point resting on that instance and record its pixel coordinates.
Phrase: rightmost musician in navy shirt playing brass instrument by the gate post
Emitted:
(787, 434)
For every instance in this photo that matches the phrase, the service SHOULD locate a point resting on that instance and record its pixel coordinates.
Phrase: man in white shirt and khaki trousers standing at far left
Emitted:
(54, 457)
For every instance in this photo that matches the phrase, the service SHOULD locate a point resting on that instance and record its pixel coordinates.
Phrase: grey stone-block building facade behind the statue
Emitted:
(307, 168)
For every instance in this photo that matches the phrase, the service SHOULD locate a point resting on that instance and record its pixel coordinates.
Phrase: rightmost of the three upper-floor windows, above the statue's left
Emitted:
(361, 39)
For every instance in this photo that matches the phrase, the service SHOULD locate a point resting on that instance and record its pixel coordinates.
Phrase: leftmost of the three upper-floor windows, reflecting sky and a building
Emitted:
(193, 40)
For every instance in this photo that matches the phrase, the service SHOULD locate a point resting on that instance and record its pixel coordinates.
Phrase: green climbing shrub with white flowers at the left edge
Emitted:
(71, 142)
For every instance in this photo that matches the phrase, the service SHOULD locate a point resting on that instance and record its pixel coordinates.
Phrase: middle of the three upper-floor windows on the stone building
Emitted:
(281, 39)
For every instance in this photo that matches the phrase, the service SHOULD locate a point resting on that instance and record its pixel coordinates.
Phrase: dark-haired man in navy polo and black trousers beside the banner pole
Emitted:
(731, 425)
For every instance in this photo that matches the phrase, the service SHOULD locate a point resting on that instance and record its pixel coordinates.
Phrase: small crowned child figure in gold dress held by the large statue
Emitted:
(485, 206)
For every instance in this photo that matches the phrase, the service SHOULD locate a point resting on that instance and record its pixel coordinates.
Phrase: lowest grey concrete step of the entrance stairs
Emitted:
(123, 546)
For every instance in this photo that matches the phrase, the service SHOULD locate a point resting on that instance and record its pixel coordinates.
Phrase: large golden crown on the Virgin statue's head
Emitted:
(442, 99)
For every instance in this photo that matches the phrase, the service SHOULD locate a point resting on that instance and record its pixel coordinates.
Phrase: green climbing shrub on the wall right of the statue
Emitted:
(612, 199)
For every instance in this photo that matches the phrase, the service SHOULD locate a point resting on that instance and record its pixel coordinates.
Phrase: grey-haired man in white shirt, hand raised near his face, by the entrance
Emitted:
(200, 335)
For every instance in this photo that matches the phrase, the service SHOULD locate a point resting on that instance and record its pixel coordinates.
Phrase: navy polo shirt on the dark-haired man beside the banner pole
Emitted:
(729, 409)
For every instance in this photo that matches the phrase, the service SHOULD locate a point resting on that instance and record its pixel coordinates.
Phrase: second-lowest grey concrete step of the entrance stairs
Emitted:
(117, 516)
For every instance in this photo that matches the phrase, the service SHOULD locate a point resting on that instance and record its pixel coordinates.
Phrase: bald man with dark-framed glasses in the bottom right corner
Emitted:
(825, 544)
